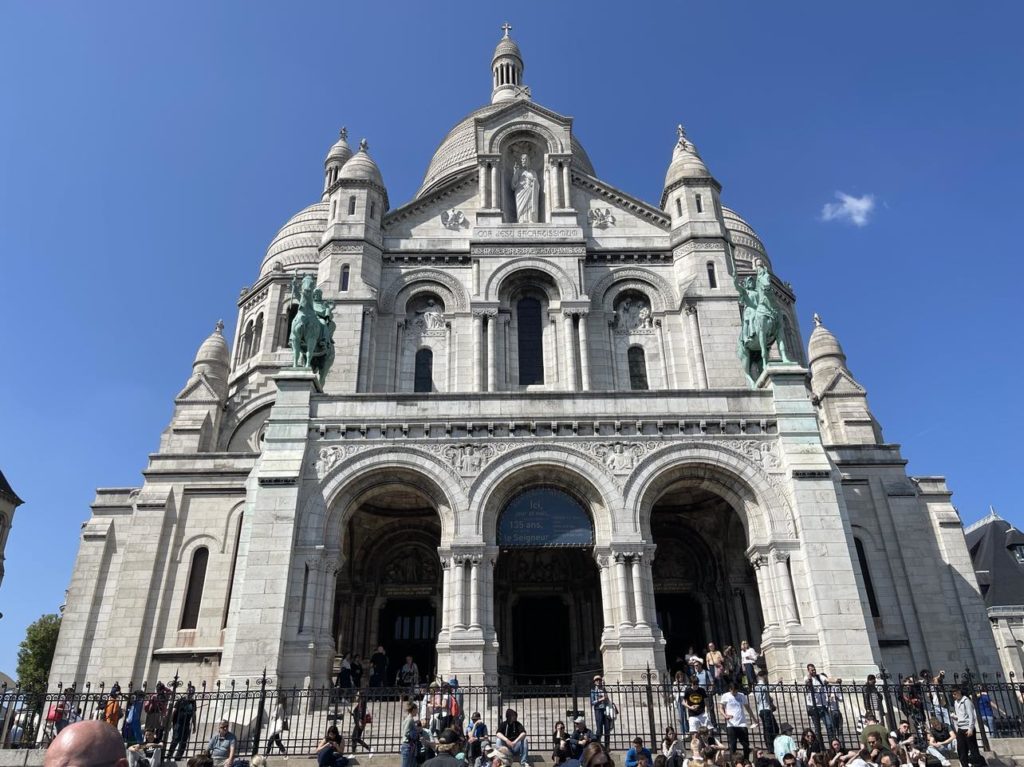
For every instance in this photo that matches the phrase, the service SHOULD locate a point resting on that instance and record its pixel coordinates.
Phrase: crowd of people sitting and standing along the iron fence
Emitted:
(728, 716)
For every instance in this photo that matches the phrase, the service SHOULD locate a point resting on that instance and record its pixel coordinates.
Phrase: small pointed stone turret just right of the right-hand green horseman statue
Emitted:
(841, 401)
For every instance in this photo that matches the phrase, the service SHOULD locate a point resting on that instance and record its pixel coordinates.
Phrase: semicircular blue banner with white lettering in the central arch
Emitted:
(544, 518)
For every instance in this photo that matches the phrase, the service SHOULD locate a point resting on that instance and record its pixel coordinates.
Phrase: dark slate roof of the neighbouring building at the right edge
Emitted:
(998, 552)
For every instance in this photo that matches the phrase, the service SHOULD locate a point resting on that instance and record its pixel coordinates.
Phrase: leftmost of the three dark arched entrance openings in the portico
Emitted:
(390, 588)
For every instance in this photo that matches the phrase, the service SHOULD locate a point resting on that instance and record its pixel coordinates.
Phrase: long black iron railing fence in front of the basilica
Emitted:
(186, 718)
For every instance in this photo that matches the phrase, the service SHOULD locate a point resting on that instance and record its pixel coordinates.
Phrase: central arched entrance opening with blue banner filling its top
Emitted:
(547, 591)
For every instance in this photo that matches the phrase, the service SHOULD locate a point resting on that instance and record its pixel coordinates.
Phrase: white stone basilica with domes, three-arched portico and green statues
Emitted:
(523, 428)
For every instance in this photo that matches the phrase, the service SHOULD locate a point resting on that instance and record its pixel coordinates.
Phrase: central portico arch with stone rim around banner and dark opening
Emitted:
(545, 520)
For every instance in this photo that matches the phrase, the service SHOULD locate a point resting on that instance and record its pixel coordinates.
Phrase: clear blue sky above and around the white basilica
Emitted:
(150, 152)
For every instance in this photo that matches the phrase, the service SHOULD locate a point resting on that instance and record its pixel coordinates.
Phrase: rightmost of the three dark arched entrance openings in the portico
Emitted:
(705, 588)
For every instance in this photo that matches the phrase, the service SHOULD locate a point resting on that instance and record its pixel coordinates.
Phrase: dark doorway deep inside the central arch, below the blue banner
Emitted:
(541, 642)
